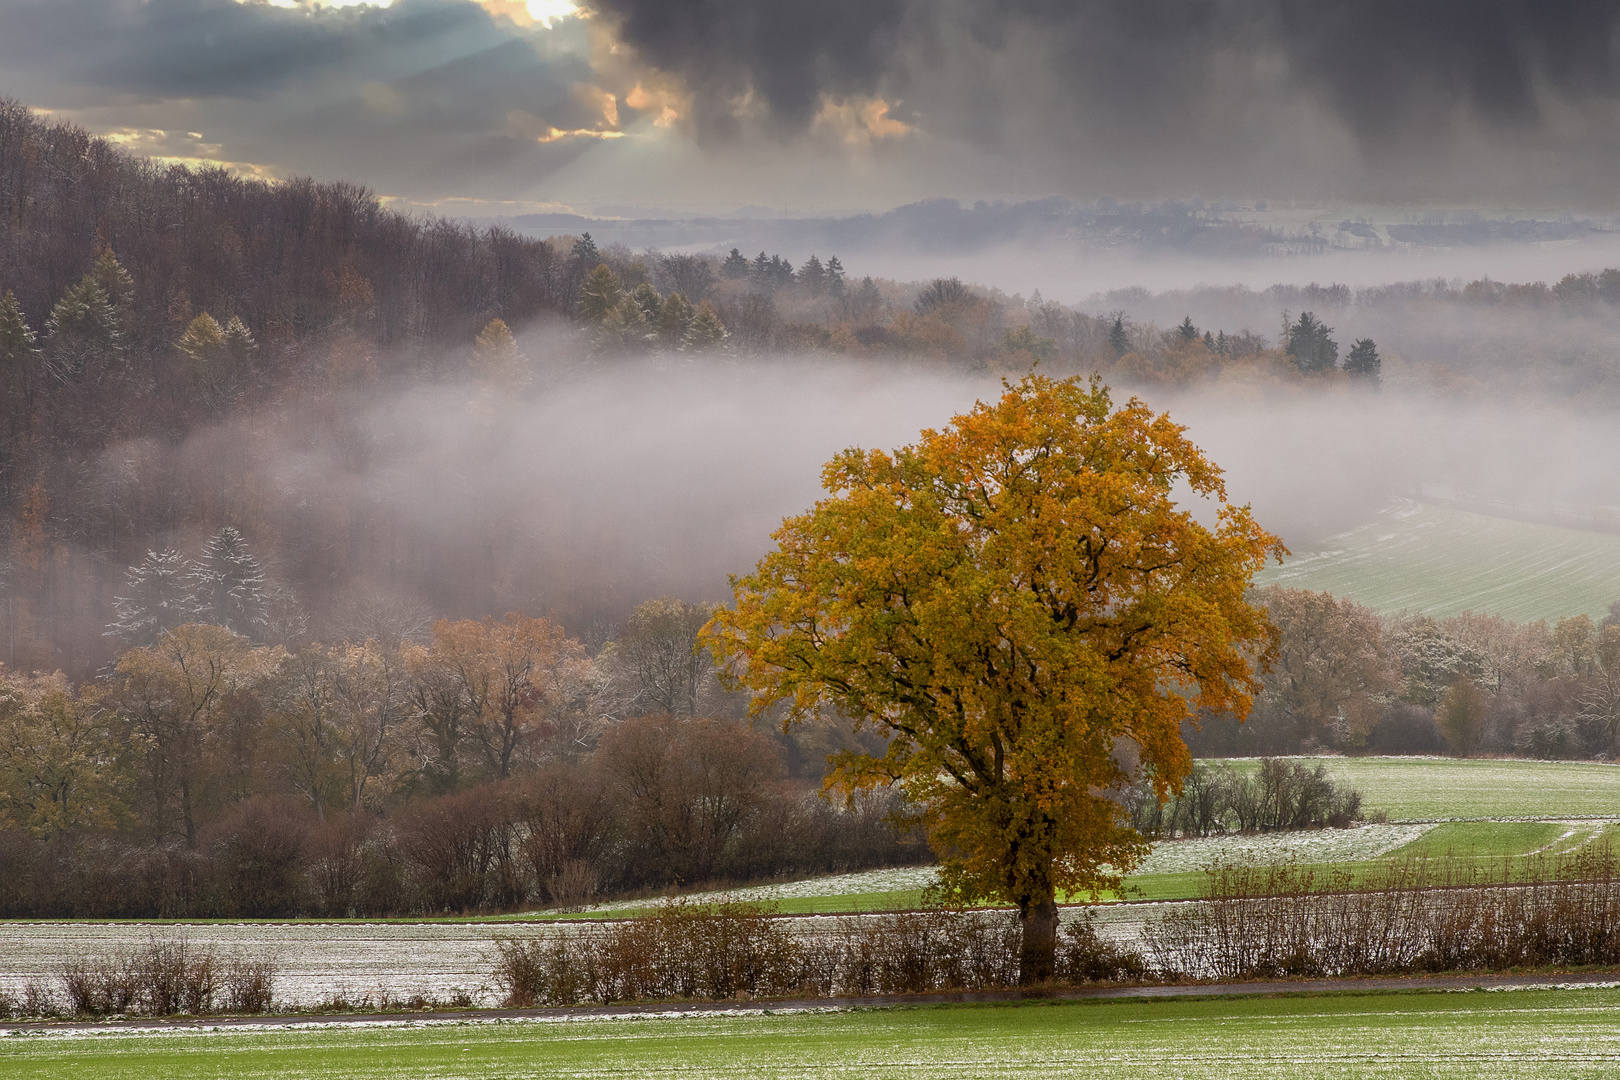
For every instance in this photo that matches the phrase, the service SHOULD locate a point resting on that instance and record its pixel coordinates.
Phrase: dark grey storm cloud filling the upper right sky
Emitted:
(1127, 74)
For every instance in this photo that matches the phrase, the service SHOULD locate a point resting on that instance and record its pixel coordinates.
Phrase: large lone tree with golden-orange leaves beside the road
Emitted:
(1015, 600)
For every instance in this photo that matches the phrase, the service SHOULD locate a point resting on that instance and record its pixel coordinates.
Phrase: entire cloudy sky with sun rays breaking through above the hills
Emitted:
(851, 104)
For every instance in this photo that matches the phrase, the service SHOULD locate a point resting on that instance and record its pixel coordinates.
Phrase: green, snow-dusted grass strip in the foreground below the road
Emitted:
(1516, 1035)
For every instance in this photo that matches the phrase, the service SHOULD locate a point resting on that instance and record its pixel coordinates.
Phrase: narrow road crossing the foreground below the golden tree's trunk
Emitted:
(806, 1005)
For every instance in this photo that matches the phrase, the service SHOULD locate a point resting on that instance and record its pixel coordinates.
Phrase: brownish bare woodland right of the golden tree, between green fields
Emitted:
(1352, 681)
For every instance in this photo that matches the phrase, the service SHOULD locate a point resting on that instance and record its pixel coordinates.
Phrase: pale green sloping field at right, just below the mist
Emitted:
(1438, 561)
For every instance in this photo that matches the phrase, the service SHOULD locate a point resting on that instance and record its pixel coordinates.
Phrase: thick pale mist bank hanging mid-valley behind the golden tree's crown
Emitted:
(633, 480)
